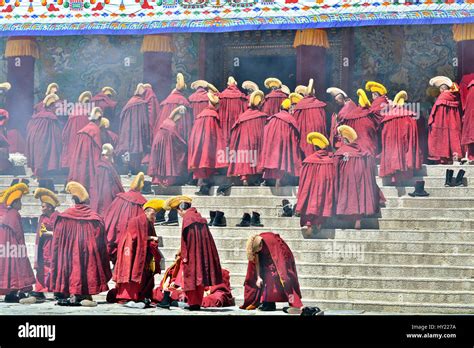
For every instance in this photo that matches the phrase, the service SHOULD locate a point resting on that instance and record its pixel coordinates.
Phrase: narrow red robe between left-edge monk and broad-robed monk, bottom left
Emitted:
(43, 252)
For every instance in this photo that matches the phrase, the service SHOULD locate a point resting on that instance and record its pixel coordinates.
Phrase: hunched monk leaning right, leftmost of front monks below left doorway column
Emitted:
(168, 159)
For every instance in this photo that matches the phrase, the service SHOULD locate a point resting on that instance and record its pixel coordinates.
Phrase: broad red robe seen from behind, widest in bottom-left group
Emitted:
(80, 264)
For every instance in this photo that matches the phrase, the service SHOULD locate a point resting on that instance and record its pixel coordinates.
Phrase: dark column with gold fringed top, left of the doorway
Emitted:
(157, 57)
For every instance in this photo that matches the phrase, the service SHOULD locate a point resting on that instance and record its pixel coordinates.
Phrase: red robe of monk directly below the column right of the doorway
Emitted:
(310, 117)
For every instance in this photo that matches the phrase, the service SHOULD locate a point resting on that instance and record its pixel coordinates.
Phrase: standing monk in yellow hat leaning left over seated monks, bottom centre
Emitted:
(199, 257)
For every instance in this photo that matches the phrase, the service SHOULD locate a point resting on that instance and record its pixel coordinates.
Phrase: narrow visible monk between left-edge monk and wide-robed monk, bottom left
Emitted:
(44, 239)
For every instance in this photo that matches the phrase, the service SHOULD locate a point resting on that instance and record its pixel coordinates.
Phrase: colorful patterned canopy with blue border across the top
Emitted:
(73, 17)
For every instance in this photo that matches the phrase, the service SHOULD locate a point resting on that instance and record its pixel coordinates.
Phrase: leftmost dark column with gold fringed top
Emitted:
(21, 53)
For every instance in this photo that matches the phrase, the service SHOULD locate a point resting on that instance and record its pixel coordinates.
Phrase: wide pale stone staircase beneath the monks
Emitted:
(417, 256)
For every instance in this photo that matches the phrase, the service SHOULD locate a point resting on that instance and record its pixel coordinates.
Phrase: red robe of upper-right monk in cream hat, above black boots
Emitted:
(444, 129)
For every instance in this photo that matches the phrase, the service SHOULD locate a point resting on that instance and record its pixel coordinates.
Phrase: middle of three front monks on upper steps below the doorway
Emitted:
(246, 141)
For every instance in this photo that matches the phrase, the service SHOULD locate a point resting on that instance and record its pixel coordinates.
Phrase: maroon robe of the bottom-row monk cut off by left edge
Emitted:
(15, 269)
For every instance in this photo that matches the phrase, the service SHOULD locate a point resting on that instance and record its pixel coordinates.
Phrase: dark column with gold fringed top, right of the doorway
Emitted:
(311, 45)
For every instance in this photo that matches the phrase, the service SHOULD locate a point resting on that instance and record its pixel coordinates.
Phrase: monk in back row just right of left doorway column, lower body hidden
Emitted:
(175, 99)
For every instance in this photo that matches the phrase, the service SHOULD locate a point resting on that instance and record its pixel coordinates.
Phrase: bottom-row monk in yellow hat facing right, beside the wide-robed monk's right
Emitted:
(138, 258)
